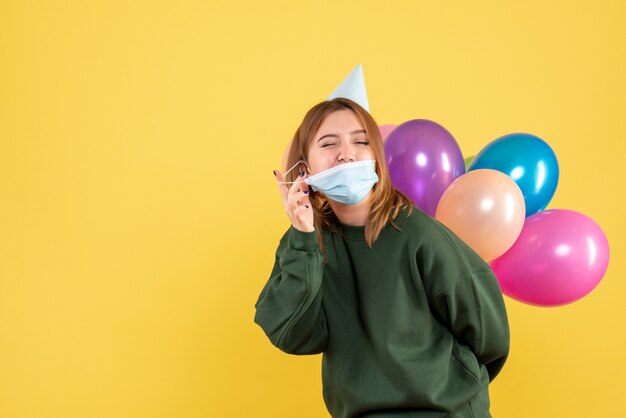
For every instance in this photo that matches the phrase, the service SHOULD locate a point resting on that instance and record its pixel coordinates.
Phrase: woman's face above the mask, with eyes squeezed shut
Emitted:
(340, 139)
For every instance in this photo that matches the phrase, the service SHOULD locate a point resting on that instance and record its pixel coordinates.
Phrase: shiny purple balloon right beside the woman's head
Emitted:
(423, 159)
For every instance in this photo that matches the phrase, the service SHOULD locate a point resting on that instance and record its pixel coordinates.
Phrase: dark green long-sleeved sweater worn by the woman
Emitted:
(415, 326)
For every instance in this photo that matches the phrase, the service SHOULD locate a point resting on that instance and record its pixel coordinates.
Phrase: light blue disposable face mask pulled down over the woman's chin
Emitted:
(347, 183)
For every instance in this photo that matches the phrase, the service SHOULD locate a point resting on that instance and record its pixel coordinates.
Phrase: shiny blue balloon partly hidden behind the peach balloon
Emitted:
(529, 161)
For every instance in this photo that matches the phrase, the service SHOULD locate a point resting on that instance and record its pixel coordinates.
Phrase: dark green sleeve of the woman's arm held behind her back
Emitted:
(468, 300)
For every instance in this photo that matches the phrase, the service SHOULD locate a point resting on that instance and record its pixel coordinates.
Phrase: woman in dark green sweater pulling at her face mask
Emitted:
(411, 322)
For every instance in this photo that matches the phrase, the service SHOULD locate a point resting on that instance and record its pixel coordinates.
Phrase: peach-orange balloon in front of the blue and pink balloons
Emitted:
(486, 209)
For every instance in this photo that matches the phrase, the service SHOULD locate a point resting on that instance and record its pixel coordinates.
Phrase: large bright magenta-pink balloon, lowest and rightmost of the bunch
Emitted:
(560, 256)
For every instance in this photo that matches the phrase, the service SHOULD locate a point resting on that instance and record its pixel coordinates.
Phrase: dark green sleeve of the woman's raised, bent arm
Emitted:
(289, 308)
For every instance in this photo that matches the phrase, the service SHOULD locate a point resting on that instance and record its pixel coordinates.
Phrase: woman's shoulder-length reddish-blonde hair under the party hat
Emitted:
(385, 197)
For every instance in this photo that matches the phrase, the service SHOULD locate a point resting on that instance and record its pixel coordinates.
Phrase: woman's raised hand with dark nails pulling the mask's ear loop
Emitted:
(296, 201)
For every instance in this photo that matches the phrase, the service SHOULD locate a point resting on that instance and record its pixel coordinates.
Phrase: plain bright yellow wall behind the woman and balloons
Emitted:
(138, 212)
